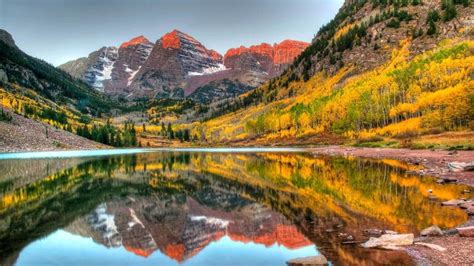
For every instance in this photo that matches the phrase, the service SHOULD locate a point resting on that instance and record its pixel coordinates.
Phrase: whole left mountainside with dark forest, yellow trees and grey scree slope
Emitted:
(40, 103)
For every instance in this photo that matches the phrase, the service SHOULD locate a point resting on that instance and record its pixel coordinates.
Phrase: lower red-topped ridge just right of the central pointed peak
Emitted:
(246, 69)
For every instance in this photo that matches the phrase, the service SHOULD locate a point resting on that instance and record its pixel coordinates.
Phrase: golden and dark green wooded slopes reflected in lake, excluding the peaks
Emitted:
(316, 194)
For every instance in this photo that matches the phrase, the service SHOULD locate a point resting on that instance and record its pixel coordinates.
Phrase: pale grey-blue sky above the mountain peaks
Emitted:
(61, 30)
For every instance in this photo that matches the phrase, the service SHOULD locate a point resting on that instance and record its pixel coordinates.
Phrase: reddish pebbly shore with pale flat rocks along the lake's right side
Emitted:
(453, 246)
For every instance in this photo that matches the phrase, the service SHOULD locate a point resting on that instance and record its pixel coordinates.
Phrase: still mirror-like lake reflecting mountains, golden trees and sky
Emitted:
(208, 207)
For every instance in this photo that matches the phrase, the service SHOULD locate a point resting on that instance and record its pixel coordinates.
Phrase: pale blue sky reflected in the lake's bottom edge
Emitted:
(64, 248)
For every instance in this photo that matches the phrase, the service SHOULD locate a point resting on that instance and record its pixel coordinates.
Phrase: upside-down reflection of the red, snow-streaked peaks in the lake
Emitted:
(181, 227)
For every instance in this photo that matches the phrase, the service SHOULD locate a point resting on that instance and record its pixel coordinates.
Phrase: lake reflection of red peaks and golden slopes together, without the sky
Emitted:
(180, 202)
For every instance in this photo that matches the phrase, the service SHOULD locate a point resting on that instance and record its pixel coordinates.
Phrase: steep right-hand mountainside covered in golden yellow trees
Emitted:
(381, 71)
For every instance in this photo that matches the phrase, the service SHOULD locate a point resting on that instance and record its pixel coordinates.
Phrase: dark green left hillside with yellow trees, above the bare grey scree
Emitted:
(38, 91)
